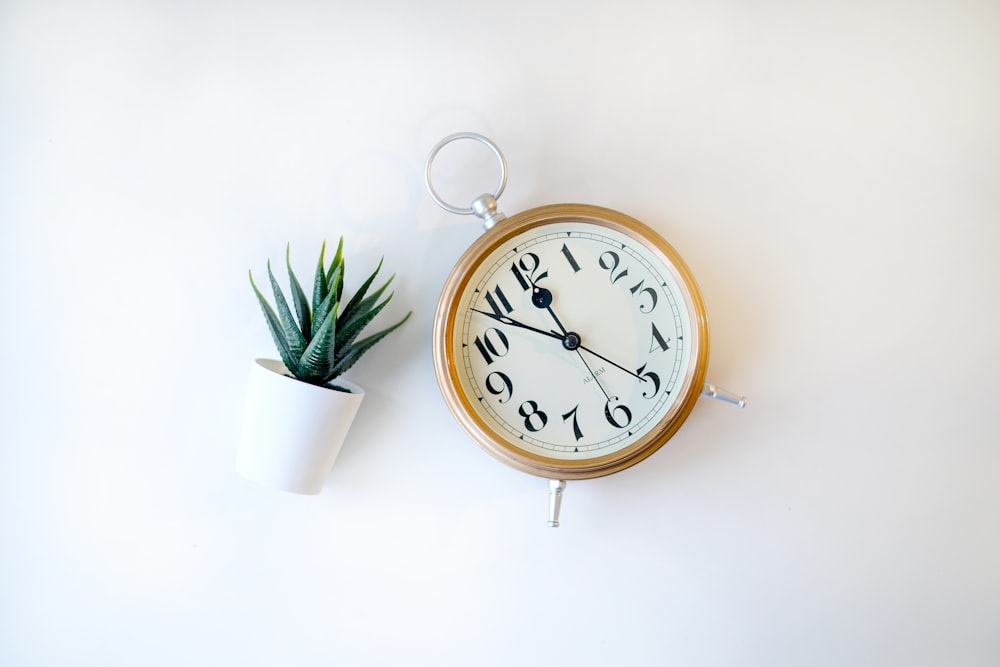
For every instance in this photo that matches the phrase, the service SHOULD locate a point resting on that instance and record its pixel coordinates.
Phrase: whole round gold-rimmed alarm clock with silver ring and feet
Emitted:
(570, 341)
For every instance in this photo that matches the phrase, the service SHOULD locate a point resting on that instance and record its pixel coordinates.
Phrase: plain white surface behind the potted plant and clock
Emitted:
(830, 171)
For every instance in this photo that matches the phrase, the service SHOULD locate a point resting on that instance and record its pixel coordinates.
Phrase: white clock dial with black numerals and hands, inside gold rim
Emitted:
(572, 340)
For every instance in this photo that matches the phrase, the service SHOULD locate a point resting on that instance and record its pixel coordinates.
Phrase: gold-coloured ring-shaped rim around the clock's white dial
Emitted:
(447, 361)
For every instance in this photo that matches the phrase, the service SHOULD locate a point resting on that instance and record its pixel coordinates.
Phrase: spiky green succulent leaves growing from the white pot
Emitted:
(319, 342)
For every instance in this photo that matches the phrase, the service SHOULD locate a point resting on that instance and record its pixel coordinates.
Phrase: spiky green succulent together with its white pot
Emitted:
(299, 409)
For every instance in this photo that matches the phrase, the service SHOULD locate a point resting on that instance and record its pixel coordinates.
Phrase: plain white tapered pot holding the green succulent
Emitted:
(293, 430)
